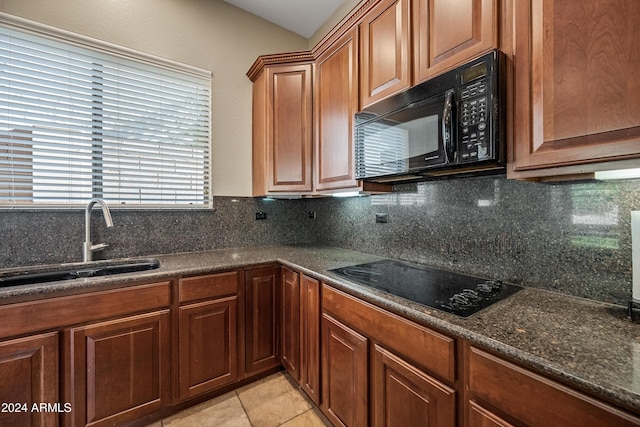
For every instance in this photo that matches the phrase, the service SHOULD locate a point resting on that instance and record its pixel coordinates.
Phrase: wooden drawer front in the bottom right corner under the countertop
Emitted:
(533, 399)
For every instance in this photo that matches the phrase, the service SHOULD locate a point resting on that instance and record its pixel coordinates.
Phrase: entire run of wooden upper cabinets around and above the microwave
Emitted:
(572, 98)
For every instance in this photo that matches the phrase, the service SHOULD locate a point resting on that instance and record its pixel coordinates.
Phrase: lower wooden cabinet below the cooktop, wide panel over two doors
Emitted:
(411, 367)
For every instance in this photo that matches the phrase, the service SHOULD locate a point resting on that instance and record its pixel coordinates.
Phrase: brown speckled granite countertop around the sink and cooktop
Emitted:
(586, 343)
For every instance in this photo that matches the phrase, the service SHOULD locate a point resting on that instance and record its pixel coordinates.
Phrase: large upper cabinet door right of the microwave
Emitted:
(577, 96)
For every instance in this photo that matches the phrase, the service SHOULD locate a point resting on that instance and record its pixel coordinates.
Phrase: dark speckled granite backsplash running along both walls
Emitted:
(573, 238)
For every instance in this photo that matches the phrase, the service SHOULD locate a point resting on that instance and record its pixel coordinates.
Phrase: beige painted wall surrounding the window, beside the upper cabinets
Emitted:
(209, 34)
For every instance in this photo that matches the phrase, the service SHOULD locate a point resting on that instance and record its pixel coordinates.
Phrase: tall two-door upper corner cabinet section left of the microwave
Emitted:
(303, 115)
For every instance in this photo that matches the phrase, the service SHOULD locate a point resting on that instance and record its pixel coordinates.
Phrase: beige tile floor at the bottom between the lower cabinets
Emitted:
(270, 402)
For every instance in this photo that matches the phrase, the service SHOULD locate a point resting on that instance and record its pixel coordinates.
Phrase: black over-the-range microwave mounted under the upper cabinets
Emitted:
(450, 124)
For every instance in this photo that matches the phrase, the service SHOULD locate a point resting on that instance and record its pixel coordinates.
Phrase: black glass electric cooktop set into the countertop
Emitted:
(444, 290)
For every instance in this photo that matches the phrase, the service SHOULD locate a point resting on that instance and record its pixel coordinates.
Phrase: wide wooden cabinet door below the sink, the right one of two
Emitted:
(117, 371)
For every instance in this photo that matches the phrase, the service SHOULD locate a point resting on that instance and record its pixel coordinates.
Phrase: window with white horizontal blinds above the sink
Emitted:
(81, 119)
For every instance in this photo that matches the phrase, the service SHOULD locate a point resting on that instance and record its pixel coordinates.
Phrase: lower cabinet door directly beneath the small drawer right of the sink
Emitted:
(208, 345)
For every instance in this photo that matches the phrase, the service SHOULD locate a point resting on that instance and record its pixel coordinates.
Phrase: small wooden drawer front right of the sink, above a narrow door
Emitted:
(209, 286)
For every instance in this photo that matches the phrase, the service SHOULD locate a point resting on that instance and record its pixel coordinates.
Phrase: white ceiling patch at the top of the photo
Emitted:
(303, 17)
